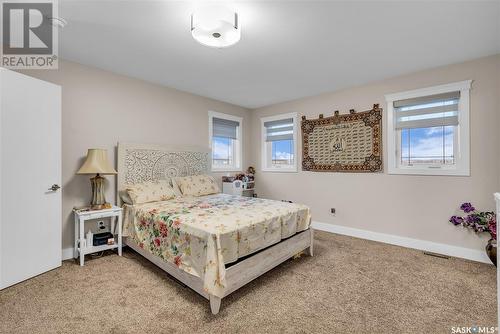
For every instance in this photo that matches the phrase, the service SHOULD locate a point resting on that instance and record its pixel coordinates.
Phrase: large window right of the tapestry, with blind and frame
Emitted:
(428, 130)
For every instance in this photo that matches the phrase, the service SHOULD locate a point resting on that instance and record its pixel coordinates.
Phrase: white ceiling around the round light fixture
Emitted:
(288, 49)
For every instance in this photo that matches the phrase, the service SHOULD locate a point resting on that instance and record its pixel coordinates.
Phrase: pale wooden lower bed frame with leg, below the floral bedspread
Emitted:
(242, 272)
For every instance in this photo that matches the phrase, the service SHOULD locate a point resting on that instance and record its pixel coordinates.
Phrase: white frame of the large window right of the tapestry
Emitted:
(462, 133)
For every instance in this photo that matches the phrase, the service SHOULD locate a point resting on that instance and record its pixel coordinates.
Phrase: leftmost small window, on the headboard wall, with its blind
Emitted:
(225, 141)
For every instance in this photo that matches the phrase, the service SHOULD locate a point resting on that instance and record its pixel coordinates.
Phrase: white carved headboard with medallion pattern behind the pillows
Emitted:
(143, 162)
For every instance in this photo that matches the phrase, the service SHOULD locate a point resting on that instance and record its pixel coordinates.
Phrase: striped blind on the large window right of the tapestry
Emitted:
(427, 111)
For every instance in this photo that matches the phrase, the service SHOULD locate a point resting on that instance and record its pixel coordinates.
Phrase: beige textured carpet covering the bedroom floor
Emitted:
(349, 286)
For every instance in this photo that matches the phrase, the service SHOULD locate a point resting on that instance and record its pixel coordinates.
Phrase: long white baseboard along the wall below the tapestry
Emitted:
(434, 247)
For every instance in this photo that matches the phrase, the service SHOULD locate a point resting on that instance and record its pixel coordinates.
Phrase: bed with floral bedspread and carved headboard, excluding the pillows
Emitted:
(215, 243)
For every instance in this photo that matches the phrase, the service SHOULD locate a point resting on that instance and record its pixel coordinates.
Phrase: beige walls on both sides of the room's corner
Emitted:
(101, 108)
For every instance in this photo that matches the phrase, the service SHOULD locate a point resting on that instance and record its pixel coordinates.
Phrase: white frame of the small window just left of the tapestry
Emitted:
(282, 169)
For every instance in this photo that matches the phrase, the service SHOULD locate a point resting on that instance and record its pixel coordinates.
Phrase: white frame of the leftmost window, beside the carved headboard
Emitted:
(238, 154)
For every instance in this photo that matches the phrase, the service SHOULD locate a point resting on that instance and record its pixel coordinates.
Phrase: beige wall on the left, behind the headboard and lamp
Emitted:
(100, 108)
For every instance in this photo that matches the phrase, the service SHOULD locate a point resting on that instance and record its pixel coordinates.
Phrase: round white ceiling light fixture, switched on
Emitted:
(216, 27)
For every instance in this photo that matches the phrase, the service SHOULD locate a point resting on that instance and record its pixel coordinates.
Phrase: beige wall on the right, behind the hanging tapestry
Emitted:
(410, 206)
